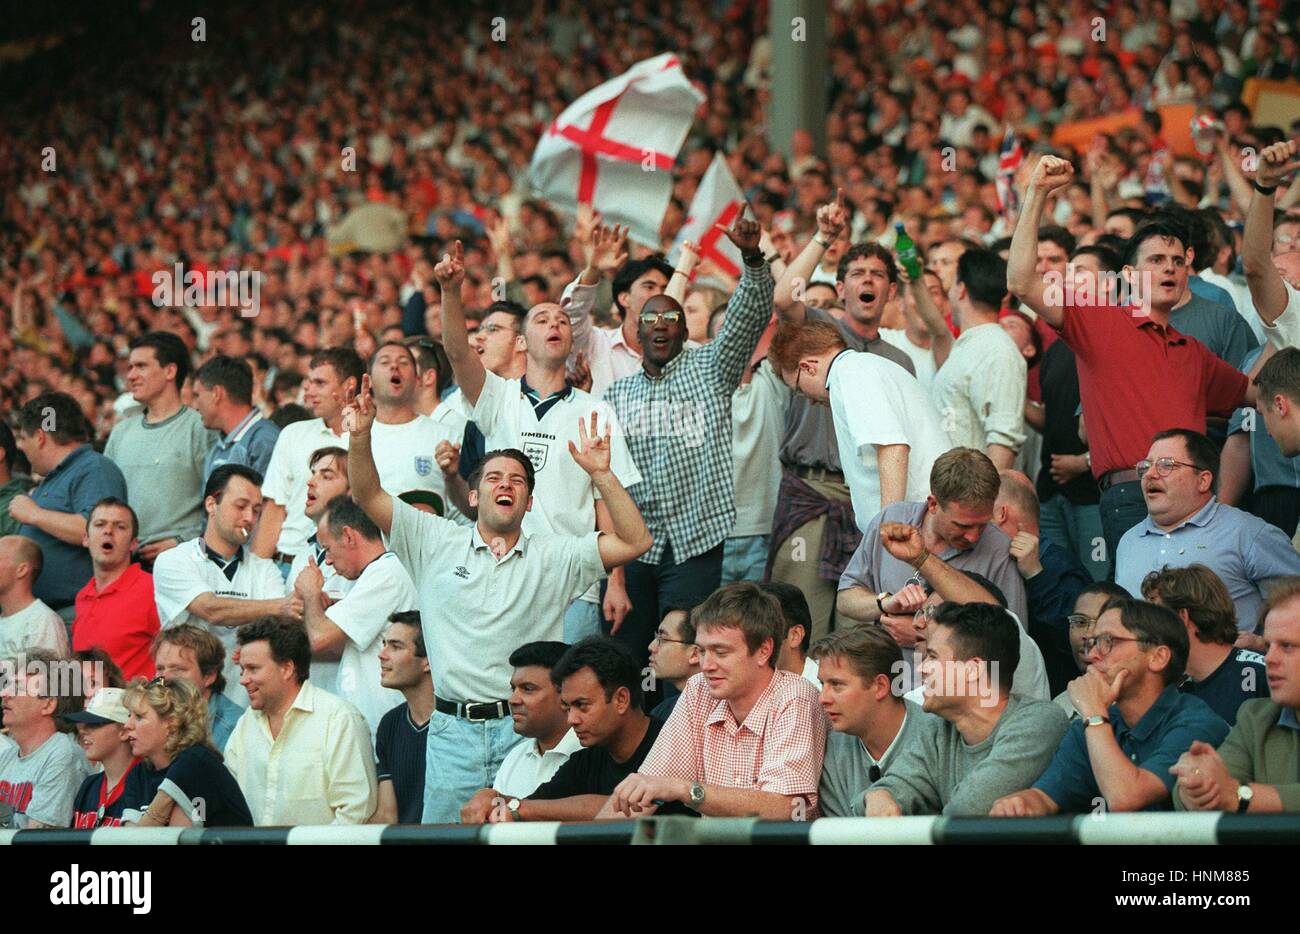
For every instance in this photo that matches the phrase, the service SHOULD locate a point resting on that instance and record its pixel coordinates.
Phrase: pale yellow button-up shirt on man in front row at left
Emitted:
(320, 769)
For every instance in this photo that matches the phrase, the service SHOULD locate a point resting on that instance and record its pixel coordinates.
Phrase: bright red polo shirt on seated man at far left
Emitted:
(123, 620)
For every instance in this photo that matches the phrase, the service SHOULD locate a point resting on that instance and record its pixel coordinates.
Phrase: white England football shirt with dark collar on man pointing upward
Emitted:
(565, 496)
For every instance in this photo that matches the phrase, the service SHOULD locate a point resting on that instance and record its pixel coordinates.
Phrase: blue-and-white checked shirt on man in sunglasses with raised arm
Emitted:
(679, 429)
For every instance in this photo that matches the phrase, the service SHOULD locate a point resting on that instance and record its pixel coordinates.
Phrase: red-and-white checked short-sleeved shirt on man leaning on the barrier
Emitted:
(778, 749)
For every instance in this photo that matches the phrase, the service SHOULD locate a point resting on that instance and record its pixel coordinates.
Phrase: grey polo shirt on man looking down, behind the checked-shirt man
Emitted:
(877, 570)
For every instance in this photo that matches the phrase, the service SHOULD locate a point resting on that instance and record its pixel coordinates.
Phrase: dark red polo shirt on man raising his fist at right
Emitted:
(1138, 379)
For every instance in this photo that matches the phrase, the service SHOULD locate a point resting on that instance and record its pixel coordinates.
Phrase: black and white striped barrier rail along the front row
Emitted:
(1086, 831)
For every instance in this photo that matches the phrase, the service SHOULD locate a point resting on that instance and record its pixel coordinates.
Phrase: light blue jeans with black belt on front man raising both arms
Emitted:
(462, 758)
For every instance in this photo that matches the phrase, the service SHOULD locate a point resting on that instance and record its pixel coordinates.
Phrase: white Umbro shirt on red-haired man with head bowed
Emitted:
(874, 403)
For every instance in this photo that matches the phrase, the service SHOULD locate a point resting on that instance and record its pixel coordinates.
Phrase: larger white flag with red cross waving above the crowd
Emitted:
(616, 146)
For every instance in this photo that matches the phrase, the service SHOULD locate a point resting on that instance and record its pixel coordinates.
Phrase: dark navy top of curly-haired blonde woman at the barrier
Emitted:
(200, 784)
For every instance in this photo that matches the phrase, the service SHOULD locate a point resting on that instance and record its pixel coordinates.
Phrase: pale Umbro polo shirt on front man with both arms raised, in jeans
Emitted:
(475, 609)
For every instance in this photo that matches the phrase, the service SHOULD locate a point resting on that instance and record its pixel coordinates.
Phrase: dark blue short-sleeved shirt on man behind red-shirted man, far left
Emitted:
(81, 479)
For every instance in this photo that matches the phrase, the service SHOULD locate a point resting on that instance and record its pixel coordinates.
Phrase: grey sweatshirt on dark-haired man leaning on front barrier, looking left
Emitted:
(939, 773)
